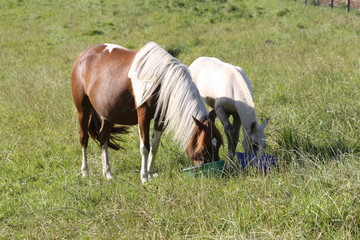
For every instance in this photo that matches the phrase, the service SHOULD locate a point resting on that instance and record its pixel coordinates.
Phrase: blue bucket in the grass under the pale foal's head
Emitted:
(252, 160)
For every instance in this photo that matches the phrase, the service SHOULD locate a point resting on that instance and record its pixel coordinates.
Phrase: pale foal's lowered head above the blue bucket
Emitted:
(254, 141)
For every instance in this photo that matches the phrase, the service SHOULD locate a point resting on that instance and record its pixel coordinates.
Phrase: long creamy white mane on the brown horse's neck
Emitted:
(178, 98)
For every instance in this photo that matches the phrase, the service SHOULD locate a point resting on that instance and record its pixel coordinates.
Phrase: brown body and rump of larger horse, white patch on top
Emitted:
(101, 74)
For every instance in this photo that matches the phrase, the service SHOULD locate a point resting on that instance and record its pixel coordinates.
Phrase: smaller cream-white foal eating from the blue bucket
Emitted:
(226, 88)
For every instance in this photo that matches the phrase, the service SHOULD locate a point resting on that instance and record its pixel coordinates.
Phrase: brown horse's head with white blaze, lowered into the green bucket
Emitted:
(206, 141)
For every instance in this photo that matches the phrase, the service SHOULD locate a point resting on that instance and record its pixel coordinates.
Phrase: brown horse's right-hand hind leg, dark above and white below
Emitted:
(103, 139)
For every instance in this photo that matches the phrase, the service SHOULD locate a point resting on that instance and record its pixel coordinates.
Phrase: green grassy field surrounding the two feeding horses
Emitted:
(305, 69)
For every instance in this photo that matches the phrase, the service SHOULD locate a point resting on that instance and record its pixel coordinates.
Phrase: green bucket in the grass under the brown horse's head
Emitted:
(205, 169)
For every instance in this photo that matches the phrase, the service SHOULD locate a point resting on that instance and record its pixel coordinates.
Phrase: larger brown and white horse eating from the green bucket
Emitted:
(114, 85)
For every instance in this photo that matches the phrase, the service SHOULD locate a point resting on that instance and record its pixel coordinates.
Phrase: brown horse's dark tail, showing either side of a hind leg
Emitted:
(95, 127)
